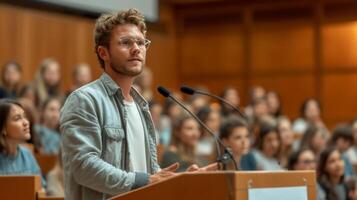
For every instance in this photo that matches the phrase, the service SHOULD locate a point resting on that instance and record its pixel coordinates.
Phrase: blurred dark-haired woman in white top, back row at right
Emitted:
(310, 115)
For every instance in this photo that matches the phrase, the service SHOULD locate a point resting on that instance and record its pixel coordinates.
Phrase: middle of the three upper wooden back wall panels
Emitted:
(282, 45)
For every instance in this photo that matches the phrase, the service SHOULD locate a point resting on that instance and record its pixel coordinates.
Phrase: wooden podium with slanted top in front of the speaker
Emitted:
(222, 185)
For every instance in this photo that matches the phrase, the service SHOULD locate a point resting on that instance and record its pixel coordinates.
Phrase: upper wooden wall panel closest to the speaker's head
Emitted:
(212, 47)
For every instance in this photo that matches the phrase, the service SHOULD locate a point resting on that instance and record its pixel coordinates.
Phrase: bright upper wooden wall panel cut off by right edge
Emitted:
(339, 45)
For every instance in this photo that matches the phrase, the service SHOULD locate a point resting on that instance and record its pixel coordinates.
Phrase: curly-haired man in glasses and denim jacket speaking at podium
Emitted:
(108, 137)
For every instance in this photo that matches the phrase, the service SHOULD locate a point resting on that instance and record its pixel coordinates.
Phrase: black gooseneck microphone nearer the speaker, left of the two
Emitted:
(227, 155)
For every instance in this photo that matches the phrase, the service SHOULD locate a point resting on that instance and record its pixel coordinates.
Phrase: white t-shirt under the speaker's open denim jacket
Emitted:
(136, 138)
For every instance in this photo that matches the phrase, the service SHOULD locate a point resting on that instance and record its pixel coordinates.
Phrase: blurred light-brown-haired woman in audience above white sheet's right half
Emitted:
(287, 140)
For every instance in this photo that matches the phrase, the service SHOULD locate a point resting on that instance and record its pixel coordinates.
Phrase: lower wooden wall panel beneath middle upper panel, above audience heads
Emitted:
(293, 90)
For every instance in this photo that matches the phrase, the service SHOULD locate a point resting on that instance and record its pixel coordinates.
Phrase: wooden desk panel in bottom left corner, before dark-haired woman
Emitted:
(19, 187)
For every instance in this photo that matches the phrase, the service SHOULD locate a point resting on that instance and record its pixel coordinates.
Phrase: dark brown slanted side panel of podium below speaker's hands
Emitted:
(207, 186)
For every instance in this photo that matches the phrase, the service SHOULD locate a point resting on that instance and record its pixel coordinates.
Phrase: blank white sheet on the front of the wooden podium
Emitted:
(278, 193)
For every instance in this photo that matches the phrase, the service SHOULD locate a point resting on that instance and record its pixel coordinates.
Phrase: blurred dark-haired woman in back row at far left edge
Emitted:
(10, 80)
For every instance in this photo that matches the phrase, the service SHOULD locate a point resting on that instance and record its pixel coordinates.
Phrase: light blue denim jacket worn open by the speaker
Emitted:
(96, 158)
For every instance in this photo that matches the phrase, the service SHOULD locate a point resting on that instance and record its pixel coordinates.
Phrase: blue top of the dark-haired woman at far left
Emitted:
(23, 163)
